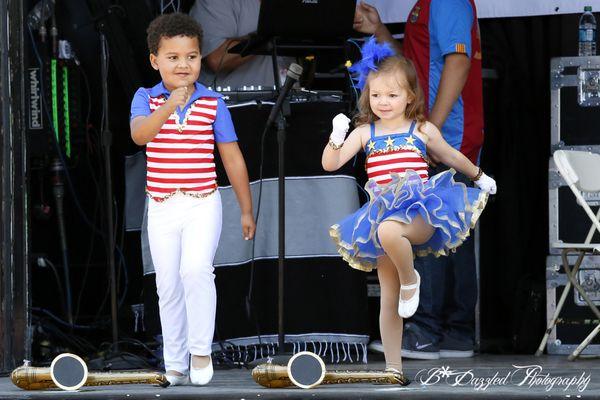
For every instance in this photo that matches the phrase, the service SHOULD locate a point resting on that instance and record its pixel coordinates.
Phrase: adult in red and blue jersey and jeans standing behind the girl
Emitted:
(442, 40)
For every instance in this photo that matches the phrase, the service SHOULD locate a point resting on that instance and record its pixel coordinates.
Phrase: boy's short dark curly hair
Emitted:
(171, 25)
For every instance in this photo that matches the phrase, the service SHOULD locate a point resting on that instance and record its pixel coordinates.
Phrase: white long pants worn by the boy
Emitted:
(184, 233)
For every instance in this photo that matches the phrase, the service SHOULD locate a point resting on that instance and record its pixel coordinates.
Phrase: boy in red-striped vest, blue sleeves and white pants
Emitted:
(180, 121)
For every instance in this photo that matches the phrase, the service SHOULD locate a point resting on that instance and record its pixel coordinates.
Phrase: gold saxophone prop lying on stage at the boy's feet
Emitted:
(36, 378)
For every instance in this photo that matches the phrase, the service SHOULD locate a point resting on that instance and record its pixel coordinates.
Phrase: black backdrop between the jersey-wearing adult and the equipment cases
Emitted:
(514, 238)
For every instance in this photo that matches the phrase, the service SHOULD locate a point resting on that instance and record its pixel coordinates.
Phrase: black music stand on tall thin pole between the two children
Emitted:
(294, 28)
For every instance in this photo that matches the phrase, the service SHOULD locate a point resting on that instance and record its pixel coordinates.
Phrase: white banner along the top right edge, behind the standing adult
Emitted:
(397, 10)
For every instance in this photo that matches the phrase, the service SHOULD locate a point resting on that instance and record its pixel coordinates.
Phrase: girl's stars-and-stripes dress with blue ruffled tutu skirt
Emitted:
(400, 189)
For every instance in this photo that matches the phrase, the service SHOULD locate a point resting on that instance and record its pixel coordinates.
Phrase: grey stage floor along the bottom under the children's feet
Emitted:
(484, 376)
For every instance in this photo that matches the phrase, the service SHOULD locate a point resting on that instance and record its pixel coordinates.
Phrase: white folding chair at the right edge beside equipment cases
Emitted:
(581, 171)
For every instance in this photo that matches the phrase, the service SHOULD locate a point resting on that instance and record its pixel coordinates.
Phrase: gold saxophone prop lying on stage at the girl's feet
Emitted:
(279, 376)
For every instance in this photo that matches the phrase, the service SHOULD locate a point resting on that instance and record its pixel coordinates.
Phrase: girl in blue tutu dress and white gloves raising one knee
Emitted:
(408, 212)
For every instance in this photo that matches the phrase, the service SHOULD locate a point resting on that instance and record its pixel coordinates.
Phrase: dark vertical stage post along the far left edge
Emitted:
(15, 320)
